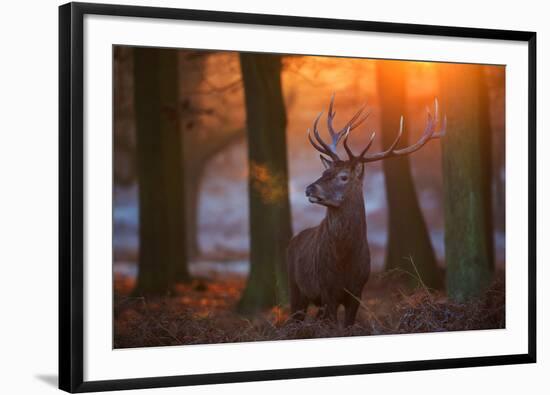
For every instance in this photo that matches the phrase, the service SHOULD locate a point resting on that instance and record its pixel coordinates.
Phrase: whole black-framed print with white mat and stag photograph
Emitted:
(258, 197)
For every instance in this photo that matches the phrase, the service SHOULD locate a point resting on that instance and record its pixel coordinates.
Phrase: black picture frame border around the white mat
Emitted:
(71, 204)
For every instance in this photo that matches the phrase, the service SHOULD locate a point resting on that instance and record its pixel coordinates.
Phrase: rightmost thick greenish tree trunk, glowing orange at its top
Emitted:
(466, 156)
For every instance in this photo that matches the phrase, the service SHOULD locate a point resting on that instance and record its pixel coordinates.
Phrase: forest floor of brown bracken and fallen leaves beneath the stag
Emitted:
(203, 312)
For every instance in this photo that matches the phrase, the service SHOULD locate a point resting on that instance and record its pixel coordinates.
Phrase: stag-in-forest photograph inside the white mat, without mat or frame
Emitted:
(273, 197)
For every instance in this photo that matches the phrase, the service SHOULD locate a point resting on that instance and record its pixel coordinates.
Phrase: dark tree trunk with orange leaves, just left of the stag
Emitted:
(270, 226)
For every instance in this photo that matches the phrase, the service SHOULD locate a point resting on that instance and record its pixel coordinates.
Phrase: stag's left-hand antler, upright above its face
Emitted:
(330, 149)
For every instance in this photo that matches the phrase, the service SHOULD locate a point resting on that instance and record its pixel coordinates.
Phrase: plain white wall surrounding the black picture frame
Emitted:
(28, 197)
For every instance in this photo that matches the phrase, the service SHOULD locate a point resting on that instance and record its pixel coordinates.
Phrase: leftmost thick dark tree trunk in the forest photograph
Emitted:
(162, 260)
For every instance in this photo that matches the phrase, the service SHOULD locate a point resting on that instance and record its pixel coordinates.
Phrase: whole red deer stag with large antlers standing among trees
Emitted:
(328, 265)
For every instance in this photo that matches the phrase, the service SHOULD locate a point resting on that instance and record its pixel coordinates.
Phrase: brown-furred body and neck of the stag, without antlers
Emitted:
(328, 262)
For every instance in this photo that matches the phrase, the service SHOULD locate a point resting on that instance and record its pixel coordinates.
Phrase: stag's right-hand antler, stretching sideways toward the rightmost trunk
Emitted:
(429, 133)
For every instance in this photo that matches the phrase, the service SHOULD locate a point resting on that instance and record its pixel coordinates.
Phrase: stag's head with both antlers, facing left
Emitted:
(342, 178)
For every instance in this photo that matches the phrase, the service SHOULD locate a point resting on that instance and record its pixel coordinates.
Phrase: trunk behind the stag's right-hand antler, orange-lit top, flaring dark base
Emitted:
(407, 231)
